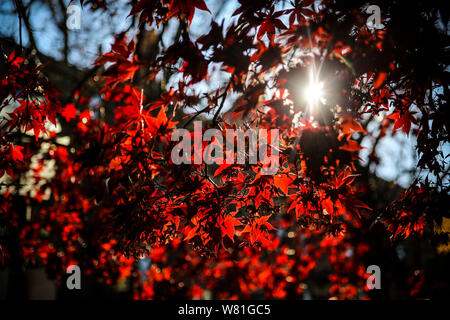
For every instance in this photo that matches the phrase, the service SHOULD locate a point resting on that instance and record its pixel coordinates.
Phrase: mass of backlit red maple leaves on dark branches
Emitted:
(116, 196)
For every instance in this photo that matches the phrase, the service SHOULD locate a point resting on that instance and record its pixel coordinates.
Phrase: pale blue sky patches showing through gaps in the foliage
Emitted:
(397, 153)
